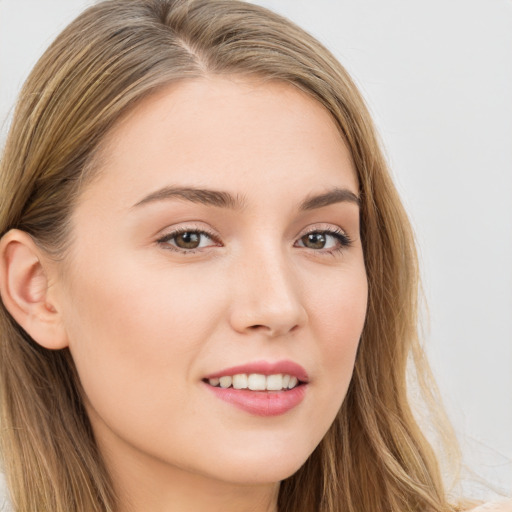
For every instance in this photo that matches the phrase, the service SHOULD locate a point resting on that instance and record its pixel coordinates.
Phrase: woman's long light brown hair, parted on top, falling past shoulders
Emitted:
(374, 457)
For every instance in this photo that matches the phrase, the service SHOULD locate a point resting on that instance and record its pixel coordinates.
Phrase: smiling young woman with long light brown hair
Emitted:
(209, 284)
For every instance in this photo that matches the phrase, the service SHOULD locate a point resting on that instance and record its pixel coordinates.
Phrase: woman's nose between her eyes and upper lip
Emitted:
(266, 296)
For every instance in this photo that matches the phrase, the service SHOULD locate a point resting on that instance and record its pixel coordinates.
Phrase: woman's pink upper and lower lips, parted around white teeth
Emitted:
(262, 403)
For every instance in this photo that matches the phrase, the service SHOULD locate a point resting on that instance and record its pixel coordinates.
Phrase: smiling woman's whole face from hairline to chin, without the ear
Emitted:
(220, 238)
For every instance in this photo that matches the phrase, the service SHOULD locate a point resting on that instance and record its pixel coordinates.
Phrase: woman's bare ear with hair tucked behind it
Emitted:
(26, 292)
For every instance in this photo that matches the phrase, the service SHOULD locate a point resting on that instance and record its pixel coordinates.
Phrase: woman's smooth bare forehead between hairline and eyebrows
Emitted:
(225, 132)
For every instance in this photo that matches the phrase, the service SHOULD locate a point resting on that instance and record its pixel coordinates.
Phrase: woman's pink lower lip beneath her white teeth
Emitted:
(261, 403)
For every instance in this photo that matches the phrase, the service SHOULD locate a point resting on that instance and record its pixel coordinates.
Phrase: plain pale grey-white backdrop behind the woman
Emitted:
(437, 76)
